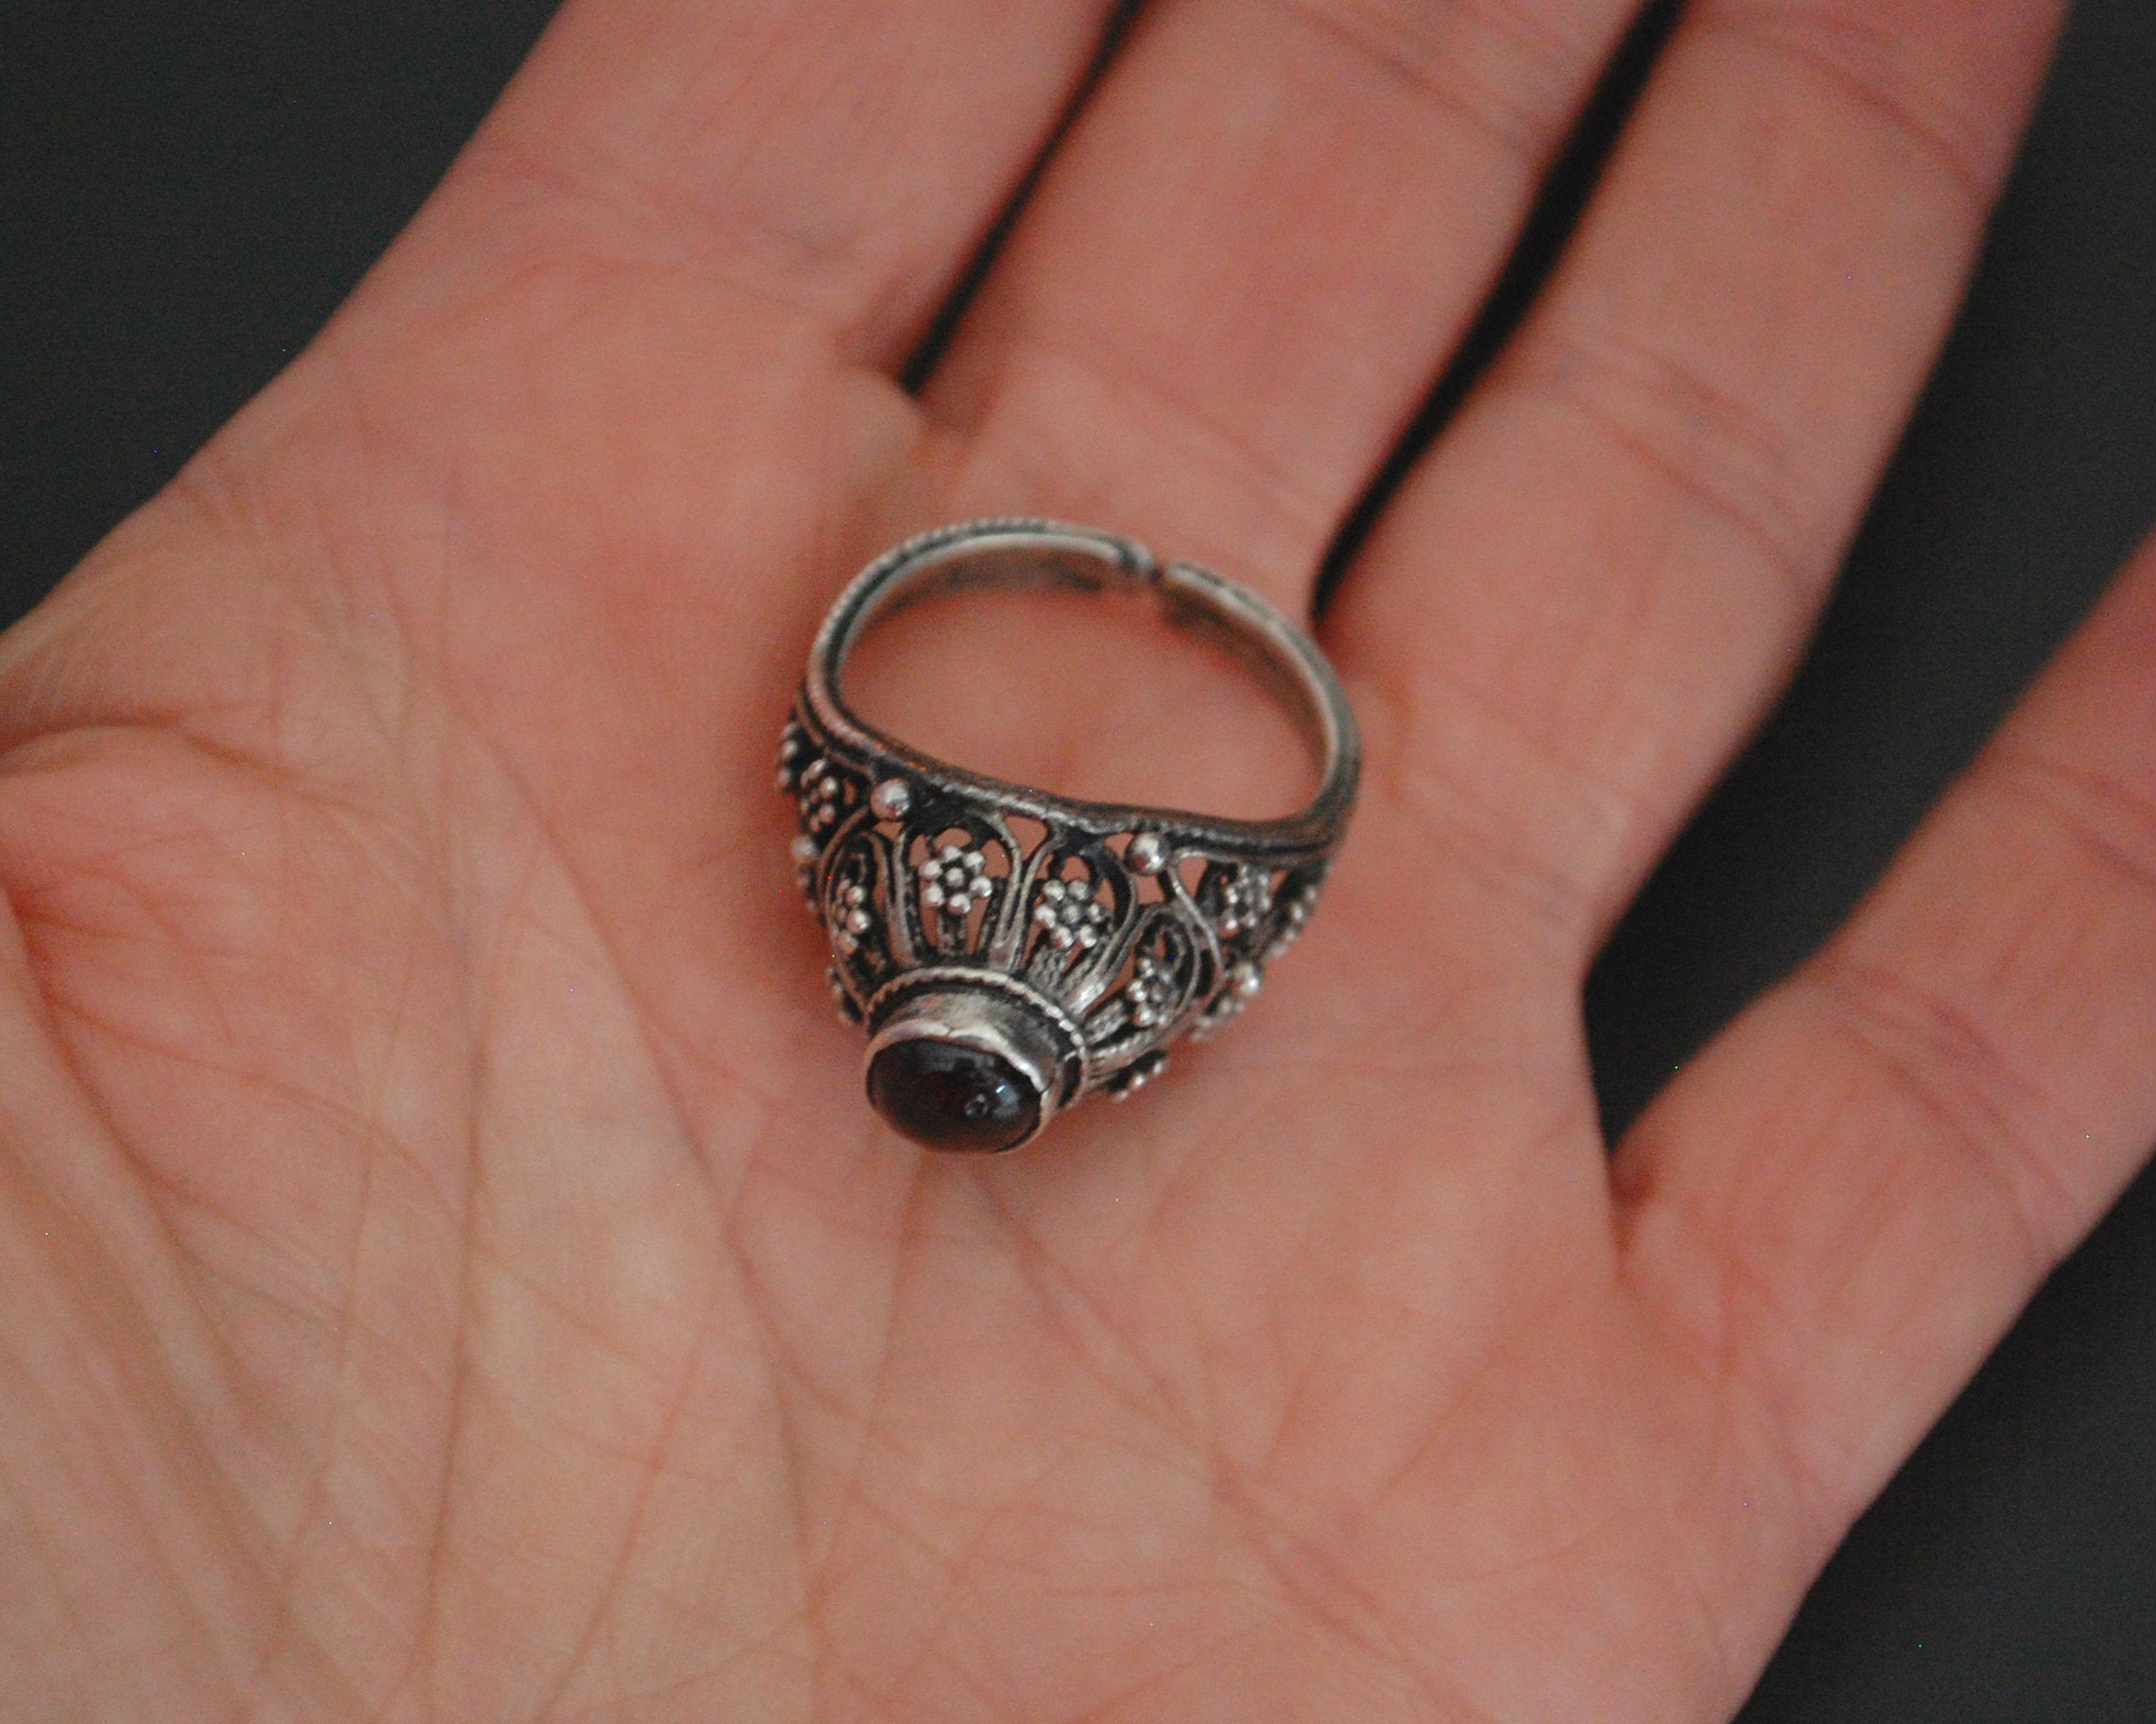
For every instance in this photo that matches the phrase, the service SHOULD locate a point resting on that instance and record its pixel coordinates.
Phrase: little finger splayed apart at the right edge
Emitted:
(1842, 1206)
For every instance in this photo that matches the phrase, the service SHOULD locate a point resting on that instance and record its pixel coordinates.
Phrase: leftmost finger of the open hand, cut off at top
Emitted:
(835, 158)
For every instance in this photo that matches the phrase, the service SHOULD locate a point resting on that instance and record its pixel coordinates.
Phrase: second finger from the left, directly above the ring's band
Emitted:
(1247, 260)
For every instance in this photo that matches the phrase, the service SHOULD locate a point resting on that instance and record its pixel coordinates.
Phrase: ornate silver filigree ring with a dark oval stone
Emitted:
(1004, 979)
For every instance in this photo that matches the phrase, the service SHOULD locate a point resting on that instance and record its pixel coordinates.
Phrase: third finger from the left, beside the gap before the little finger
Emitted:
(1588, 594)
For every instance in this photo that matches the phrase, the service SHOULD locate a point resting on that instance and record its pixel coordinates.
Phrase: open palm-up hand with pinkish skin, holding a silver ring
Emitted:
(450, 1270)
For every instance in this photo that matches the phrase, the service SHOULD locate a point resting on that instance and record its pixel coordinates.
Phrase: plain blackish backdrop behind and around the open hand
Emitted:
(189, 189)
